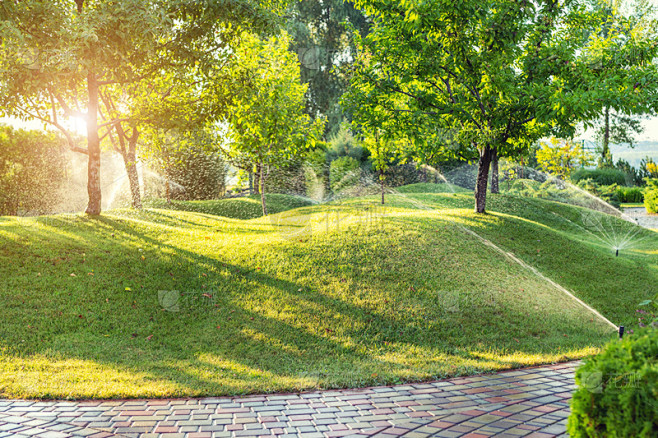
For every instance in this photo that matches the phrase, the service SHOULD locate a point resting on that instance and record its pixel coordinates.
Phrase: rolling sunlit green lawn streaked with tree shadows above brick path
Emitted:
(324, 296)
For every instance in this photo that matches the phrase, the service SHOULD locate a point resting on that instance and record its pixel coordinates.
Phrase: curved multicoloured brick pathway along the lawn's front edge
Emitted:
(529, 402)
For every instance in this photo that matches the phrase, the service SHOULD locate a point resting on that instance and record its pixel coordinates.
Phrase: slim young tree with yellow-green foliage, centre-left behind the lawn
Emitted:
(266, 115)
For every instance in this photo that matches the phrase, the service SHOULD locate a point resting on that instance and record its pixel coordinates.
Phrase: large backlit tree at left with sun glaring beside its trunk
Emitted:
(60, 57)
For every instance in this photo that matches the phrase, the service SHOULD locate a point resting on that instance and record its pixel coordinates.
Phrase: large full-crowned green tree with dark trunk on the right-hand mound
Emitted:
(496, 75)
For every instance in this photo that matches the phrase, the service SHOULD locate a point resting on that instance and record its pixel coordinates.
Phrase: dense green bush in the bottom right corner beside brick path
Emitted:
(617, 393)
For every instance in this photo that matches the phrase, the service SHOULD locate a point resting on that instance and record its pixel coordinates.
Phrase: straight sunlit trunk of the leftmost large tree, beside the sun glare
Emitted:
(94, 148)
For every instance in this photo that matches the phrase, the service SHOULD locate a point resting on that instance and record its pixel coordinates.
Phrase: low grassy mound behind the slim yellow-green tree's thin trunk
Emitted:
(248, 207)
